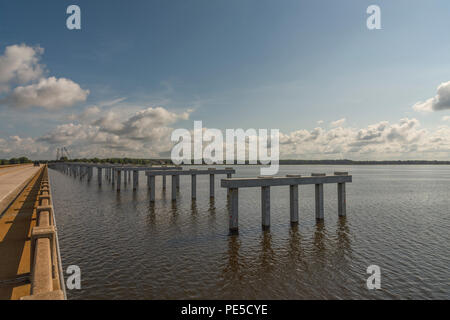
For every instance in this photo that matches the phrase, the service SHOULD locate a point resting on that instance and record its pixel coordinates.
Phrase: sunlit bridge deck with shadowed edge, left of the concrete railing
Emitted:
(15, 229)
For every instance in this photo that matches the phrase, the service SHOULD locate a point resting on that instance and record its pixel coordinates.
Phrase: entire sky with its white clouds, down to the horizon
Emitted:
(312, 69)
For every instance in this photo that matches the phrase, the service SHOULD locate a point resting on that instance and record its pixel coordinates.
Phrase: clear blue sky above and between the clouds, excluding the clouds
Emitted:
(252, 64)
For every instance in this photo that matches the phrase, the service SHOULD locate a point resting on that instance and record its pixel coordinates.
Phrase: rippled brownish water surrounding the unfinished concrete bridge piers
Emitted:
(398, 217)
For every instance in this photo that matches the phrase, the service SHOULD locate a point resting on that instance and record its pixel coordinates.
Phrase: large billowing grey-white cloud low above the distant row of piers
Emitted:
(145, 133)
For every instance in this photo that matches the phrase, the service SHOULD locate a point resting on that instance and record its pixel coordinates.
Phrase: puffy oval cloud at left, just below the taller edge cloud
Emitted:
(49, 93)
